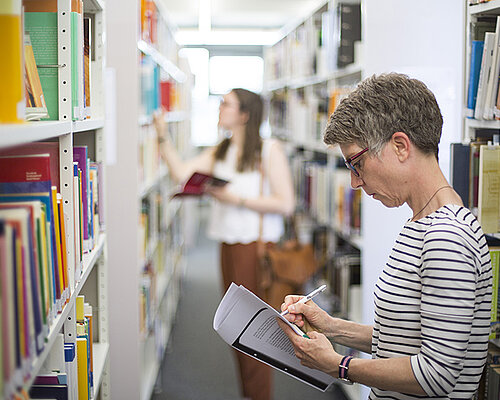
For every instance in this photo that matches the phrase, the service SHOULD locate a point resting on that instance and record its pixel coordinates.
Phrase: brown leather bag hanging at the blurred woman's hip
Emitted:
(284, 270)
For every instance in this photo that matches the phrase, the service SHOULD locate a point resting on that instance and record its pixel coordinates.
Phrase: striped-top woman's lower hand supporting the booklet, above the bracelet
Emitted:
(316, 352)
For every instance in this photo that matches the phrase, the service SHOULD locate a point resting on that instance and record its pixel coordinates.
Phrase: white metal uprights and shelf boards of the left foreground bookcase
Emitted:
(63, 130)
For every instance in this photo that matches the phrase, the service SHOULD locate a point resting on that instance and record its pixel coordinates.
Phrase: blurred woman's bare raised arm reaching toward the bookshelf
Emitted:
(179, 169)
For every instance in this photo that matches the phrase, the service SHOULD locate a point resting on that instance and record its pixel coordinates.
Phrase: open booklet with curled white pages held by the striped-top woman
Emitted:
(249, 325)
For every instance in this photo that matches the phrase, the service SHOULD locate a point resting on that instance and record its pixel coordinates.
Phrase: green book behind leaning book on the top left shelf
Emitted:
(42, 28)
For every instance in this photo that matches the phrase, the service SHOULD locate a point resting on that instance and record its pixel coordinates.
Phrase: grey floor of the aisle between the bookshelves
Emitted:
(198, 363)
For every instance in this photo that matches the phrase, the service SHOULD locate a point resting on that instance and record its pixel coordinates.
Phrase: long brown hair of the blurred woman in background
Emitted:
(252, 104)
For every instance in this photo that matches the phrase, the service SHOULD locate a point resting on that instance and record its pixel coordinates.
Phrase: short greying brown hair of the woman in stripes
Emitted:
(382, 105)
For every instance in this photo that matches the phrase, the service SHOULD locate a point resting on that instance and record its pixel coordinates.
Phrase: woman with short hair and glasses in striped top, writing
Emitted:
(429, 338)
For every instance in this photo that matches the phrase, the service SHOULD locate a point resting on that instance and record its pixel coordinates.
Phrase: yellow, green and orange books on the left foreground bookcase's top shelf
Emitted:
(33, 92)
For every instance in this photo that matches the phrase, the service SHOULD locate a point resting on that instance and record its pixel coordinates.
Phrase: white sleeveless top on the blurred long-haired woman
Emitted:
(234, 224)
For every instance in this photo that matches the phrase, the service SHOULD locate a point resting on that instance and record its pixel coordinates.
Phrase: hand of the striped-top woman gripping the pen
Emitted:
(302, 314)
